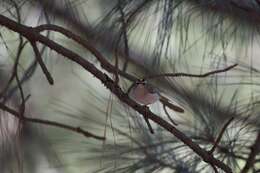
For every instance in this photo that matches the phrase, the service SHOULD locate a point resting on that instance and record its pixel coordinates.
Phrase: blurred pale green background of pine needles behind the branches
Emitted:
(148, 37)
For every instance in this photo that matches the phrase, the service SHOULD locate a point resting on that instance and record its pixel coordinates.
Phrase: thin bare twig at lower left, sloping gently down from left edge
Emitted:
(49, 123)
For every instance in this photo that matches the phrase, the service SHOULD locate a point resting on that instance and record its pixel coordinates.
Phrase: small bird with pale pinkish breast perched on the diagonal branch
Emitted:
(144, 93)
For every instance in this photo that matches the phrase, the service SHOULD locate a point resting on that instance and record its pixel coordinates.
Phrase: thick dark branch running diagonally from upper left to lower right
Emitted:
(31, 33)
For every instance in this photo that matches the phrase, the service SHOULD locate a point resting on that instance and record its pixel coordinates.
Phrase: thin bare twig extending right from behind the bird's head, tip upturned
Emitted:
(190, 75)
